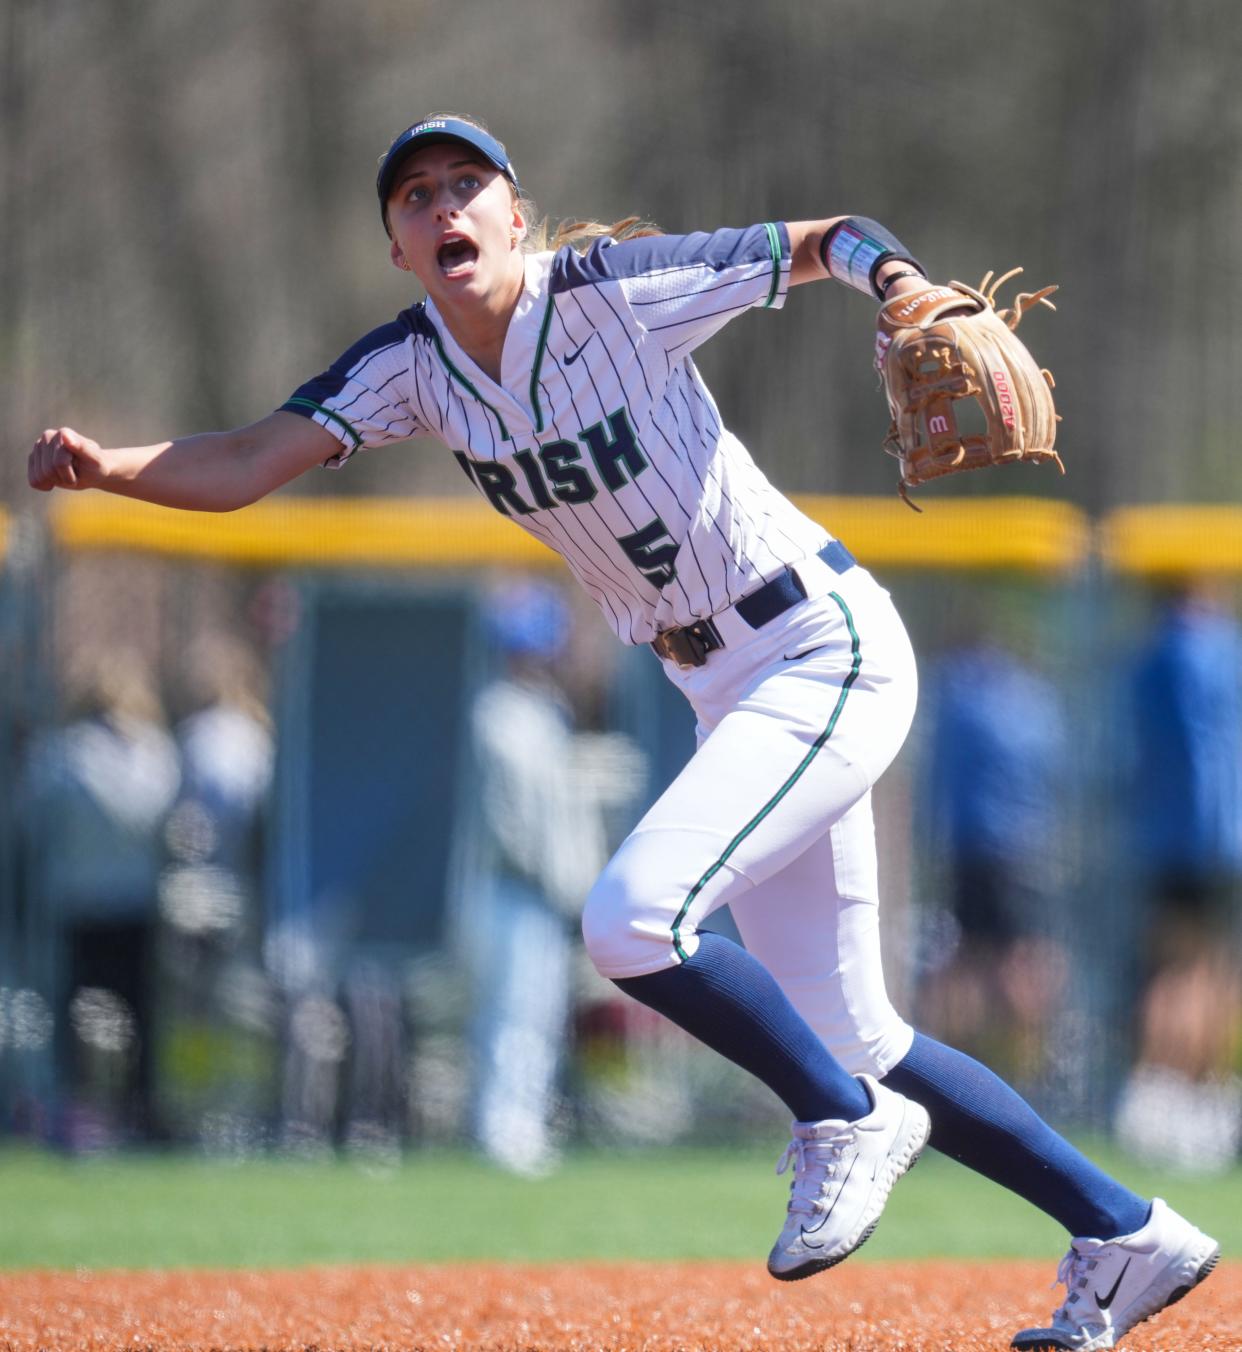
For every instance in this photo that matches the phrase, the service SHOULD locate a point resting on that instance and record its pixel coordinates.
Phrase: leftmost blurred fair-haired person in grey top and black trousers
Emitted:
(97, 796)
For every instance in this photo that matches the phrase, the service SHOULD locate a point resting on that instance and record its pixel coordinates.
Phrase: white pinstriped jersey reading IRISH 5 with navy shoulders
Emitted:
(601, 439)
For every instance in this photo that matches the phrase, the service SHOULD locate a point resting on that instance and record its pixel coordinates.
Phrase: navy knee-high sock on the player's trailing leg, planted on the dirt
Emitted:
(989, 1127)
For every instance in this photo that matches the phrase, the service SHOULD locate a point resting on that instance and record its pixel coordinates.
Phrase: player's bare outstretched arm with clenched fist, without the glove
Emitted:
(217, 471)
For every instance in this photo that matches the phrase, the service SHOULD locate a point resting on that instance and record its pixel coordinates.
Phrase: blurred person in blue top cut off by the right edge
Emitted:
(1183, 1101)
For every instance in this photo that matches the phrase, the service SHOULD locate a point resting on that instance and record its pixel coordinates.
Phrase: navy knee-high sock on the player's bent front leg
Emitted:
(732, 1003)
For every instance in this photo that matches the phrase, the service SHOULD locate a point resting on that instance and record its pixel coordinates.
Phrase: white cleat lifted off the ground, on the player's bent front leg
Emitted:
(843, 1176)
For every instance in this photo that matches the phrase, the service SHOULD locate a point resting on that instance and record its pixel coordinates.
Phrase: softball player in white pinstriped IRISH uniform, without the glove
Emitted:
(564, 383)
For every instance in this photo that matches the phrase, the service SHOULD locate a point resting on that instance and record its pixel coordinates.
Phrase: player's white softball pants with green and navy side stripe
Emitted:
(774, 817)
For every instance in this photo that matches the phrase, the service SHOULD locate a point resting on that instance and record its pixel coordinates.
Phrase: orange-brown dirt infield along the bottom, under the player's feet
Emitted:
(914, 1307)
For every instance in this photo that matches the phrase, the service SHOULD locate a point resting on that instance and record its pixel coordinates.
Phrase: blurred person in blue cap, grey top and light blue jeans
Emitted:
(536, 846)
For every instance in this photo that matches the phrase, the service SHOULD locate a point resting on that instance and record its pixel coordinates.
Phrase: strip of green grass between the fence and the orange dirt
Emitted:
(179, 1212)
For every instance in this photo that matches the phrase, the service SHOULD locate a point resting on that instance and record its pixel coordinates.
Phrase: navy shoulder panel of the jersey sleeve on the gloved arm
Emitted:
(610, 262)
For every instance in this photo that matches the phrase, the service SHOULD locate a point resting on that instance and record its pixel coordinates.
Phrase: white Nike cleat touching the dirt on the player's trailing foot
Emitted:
(1113, 1285)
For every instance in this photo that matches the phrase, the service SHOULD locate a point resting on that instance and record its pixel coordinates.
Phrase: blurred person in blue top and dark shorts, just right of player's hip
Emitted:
(997, 763)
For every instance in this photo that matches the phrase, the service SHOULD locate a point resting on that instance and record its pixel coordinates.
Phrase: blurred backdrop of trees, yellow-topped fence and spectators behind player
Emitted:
(260, 881)
